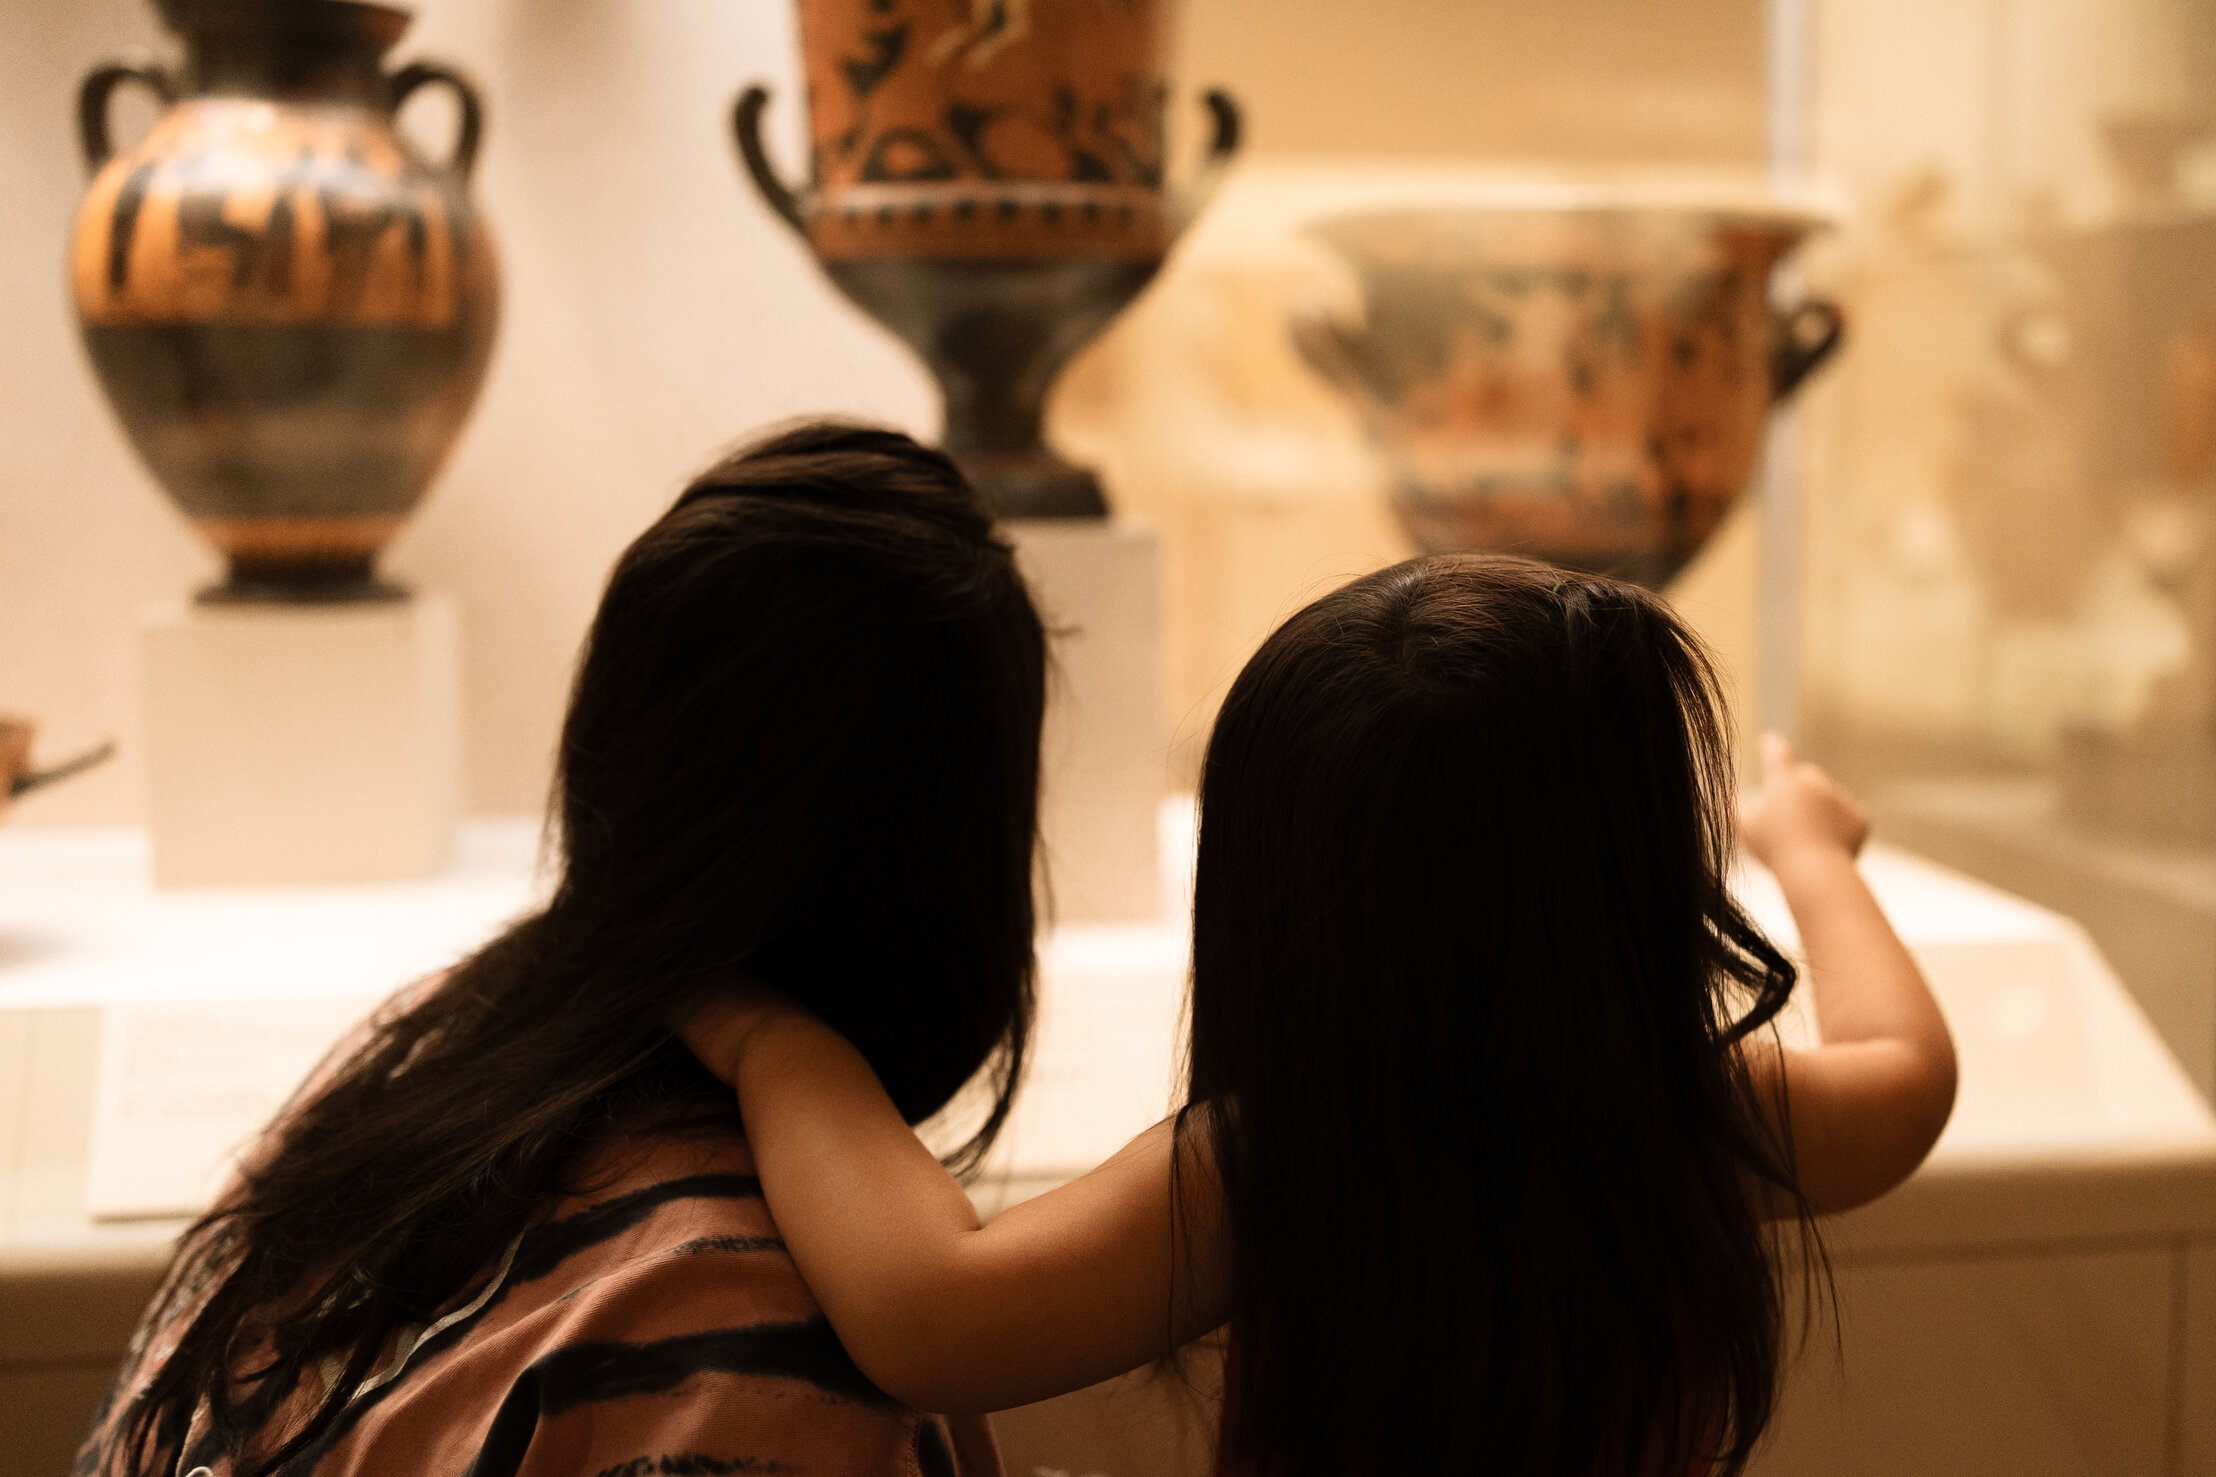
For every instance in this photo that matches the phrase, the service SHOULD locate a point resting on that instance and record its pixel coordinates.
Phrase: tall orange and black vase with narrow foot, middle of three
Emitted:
(989, 185)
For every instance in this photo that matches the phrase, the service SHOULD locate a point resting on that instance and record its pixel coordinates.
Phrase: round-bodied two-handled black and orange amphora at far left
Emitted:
(287, 304)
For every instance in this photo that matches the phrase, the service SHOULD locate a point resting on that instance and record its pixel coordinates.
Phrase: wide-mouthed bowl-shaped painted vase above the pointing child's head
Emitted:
(1588, 386)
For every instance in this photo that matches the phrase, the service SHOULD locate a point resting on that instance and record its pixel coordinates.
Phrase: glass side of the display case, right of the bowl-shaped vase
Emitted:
(2009, 570)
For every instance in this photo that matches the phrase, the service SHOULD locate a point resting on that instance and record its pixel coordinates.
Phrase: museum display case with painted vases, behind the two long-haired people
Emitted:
(1880, 335)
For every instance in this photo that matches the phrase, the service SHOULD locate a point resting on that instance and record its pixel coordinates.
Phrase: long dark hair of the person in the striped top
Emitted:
(803, 745)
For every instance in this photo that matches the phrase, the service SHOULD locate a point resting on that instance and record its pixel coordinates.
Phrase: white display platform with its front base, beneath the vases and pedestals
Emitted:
(2040, 1299)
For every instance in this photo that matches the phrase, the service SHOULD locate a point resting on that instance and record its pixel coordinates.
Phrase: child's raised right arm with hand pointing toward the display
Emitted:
(1871, 1102)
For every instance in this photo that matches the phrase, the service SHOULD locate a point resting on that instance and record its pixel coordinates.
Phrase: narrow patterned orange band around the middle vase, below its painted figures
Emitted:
(989, 220)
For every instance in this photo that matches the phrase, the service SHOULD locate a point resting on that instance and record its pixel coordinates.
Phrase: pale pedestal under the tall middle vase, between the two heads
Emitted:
(1102, 770)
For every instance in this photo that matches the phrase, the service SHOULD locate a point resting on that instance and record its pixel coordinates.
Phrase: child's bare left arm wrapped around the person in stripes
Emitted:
(938, 1310)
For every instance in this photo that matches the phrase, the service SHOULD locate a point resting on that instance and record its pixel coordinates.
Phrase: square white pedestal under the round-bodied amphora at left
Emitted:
(302, 745)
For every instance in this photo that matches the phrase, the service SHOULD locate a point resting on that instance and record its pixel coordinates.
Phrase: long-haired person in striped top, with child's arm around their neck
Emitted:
(515, 1226)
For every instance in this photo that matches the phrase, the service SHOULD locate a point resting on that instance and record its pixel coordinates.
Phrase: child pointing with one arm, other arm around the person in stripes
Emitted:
(1490, 1153)
